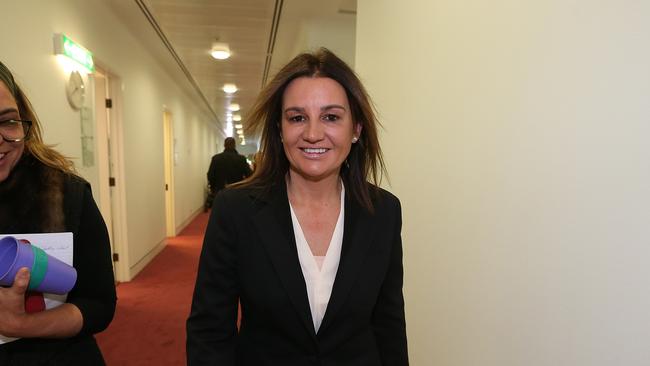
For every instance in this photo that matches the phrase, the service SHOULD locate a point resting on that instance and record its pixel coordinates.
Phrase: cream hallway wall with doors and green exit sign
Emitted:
(26, 40)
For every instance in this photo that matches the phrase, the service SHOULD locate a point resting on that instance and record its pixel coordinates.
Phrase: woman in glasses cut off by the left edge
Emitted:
(41, 193)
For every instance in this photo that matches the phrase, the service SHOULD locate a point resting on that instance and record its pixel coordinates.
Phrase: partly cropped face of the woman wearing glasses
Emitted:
(10, 152)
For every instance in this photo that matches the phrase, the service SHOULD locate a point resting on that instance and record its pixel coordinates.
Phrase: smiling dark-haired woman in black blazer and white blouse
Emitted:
(309, 244)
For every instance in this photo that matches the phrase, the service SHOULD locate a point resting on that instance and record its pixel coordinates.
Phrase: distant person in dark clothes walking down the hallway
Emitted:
(226, 168)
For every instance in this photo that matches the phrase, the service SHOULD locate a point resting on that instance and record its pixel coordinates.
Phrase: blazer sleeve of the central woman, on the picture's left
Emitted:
(211, 326)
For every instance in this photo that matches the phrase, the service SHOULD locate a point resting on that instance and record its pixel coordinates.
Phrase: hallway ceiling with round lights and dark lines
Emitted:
(263, 35)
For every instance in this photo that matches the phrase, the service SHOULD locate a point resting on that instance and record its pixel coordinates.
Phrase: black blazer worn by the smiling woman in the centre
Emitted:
(249, 254)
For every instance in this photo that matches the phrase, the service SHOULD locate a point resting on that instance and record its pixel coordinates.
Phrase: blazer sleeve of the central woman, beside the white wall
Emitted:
(388, 318)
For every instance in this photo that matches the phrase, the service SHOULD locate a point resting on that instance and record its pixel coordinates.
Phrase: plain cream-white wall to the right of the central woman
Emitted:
(516, 137)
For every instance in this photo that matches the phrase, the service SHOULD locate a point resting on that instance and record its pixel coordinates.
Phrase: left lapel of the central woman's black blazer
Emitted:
(273, 221)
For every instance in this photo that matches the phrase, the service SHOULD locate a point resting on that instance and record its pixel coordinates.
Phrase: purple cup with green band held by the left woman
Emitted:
(59, 277)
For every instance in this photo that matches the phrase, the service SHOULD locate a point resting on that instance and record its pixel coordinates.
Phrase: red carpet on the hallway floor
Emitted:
(149, 324)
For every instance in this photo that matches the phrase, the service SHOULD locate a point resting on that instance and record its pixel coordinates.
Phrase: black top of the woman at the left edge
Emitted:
(39, 199)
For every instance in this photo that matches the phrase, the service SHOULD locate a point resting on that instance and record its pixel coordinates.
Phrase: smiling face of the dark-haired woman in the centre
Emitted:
(317, 128)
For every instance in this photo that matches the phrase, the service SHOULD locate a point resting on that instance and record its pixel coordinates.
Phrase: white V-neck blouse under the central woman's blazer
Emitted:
(319, 277)
